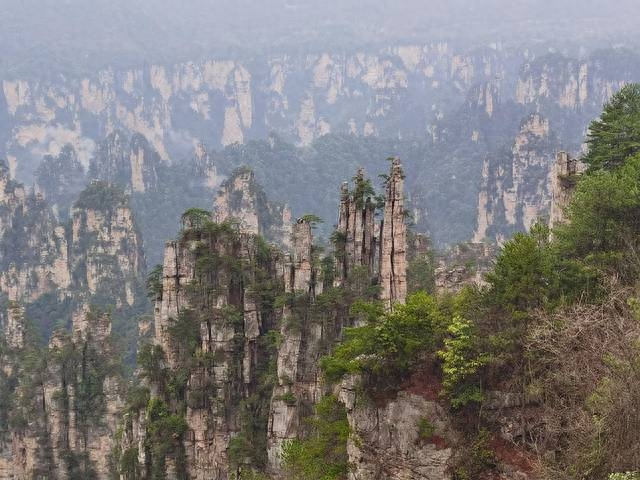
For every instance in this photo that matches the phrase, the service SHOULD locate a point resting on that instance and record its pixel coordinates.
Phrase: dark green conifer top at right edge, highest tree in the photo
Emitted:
(615, 136)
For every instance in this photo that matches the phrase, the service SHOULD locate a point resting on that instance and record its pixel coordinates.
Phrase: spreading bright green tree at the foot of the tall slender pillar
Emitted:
(389, 344)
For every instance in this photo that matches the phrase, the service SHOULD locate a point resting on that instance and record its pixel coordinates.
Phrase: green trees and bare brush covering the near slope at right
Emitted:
(556, 326)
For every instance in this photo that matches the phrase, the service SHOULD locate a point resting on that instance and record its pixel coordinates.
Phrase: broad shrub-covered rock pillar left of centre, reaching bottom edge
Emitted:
(210, 280)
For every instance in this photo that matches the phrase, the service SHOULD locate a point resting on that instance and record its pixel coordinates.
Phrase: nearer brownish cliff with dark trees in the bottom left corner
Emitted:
(65, 406)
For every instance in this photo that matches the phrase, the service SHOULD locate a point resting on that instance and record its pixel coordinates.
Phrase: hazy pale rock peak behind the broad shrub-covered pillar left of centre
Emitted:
(242, 199)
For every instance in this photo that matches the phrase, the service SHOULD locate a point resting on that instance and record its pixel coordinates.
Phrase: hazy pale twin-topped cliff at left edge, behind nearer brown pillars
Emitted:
(53, 266)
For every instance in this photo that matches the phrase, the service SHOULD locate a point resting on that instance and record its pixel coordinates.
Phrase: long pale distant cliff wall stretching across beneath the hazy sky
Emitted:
(298, 96)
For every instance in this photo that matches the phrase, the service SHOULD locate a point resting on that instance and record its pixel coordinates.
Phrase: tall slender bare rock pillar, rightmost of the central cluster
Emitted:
(393, 262)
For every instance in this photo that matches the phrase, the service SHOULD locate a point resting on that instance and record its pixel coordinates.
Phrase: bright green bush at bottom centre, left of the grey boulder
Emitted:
(322, 455)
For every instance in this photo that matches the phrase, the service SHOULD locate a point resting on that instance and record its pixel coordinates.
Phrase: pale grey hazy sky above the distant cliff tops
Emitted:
(77, 34)
